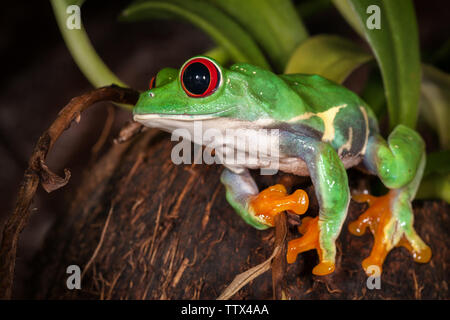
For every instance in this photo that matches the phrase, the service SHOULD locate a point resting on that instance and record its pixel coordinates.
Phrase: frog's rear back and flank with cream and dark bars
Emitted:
(343, 119)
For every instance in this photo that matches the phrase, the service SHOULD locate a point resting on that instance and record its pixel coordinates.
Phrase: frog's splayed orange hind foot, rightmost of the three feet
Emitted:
(388, 232)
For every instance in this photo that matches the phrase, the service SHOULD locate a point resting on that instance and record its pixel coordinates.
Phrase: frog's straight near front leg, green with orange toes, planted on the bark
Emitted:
(331, 186)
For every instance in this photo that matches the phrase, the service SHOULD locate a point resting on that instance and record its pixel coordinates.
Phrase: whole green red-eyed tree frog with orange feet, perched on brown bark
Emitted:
(323, 128)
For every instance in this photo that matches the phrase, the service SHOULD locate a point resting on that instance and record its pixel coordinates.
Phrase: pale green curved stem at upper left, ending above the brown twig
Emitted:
(81, 48)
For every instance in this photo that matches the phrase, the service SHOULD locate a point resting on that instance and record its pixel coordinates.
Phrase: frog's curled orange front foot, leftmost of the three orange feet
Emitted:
(273, 200)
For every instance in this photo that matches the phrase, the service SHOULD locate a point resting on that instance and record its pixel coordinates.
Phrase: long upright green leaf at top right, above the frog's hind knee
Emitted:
(396, 48)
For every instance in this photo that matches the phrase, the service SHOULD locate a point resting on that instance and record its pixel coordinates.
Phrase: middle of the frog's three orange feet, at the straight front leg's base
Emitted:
(309, 241)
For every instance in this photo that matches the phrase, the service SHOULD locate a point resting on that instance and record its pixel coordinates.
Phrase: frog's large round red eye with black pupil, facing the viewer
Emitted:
(200, 77)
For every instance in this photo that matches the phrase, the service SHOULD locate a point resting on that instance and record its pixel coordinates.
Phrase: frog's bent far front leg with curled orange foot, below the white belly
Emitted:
(260, 208)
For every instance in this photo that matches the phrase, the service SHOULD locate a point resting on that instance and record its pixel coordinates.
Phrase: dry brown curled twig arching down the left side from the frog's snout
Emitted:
(37, 172)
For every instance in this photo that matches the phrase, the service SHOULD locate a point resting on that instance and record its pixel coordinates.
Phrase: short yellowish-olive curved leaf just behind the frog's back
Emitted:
(332, 57)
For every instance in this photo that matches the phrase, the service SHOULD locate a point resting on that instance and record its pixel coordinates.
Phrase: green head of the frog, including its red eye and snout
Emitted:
(203, 90)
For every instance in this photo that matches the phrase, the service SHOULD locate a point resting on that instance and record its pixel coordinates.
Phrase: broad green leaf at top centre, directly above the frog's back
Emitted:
(275, 25)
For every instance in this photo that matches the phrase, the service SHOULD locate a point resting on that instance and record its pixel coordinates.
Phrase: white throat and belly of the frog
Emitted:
(238, 144)
